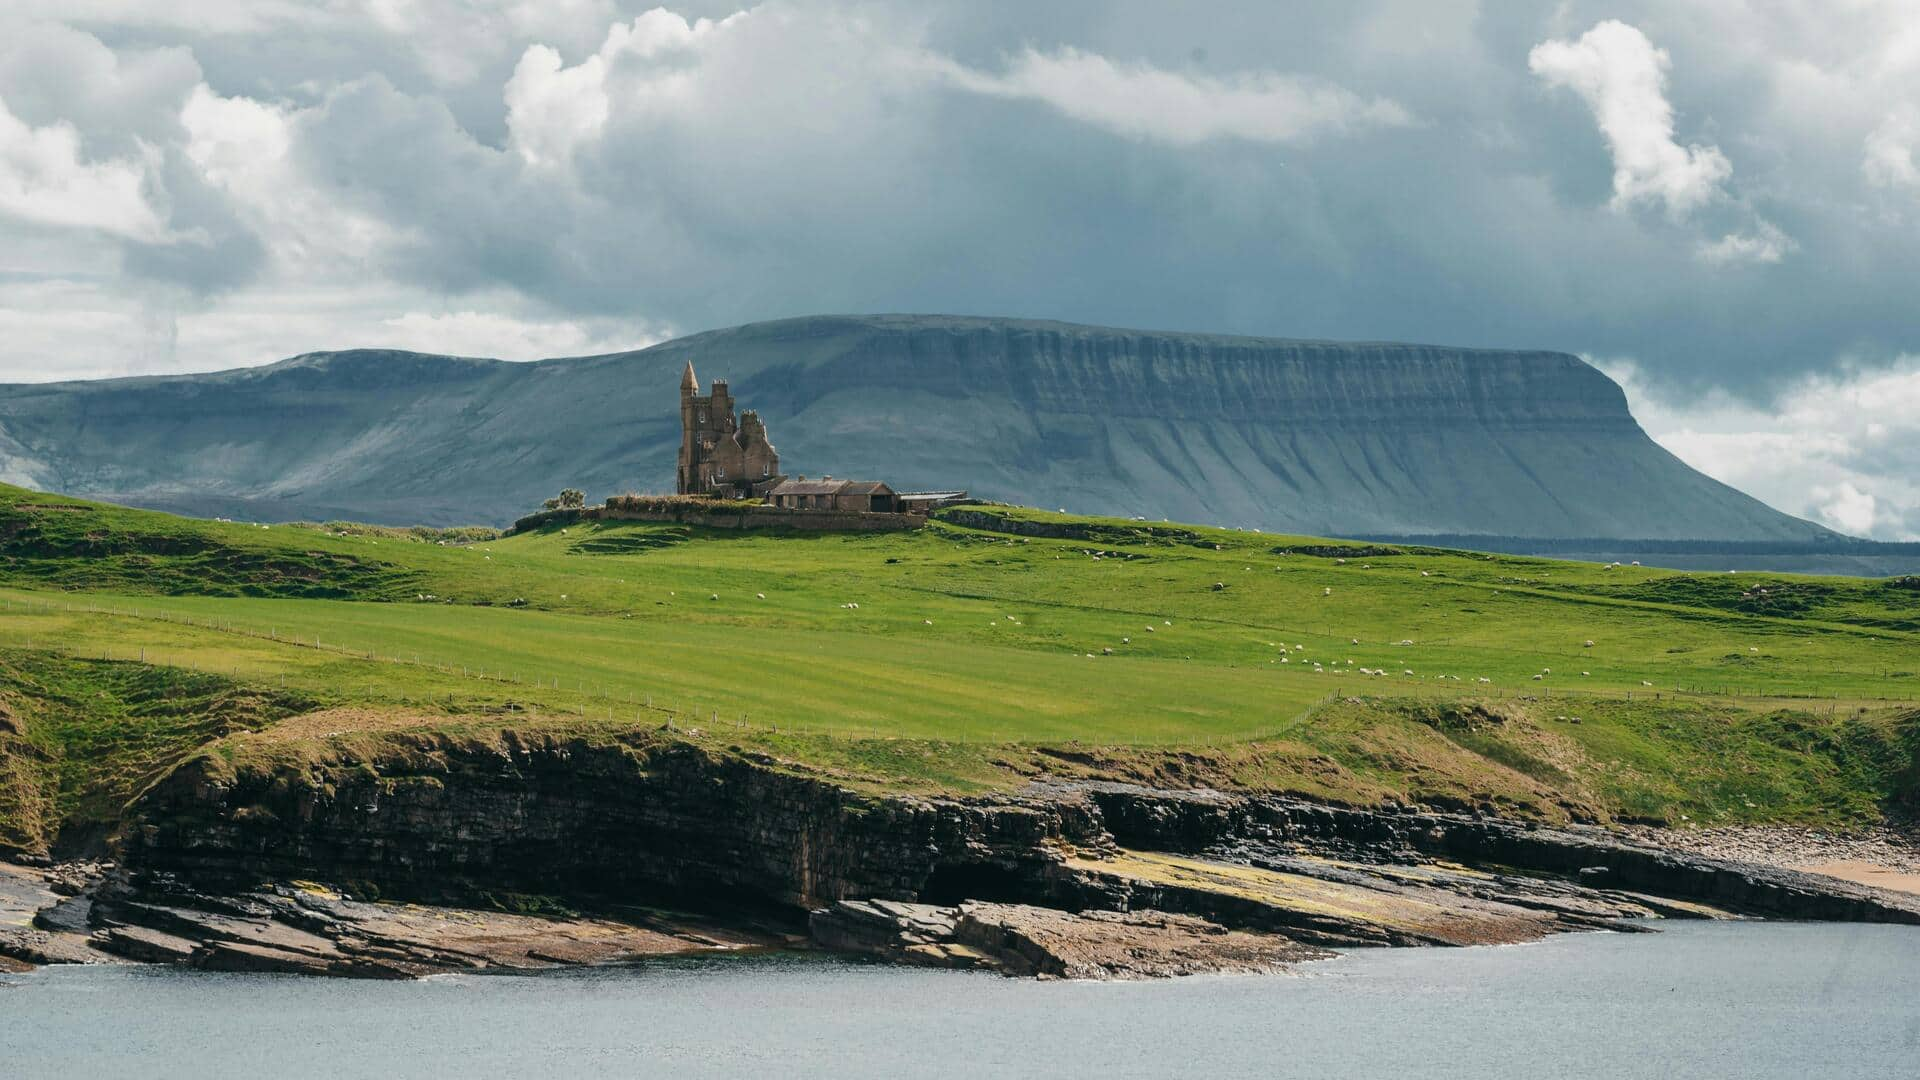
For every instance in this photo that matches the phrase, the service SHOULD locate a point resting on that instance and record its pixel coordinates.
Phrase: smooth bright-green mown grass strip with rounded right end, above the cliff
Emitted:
(805, 679)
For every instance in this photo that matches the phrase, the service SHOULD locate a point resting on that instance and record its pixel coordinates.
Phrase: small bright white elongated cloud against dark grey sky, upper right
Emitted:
(1623, 80)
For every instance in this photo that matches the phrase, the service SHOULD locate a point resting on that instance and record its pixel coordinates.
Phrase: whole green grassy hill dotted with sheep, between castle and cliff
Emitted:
(982, 652)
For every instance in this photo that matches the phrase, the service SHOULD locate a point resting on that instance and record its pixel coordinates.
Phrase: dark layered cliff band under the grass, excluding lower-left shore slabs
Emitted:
(654, 820)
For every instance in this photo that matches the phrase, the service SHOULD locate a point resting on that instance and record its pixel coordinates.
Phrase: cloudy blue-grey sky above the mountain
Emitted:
(1714, 201)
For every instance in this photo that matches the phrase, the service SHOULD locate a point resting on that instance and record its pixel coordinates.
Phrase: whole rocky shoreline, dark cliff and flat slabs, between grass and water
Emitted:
(650, 848)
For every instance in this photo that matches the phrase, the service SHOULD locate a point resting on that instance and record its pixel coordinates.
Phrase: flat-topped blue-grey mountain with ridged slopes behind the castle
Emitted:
(1284, 435)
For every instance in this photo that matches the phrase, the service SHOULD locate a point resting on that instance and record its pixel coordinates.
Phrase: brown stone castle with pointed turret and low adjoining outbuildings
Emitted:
(727, 458)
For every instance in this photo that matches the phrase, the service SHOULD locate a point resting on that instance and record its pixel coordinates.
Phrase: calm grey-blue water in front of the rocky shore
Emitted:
(1696, 1000)
